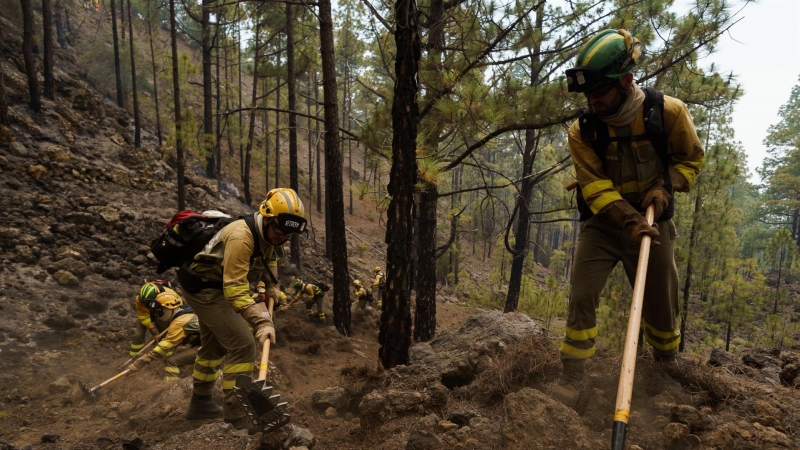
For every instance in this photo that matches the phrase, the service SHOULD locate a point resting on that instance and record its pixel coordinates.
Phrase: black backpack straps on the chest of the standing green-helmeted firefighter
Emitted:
(595, 131)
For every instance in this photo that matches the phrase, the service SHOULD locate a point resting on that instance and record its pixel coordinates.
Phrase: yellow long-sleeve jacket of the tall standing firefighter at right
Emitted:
(631, 168)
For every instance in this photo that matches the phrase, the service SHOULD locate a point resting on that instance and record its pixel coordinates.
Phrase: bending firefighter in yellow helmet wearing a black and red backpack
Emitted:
(216, 283)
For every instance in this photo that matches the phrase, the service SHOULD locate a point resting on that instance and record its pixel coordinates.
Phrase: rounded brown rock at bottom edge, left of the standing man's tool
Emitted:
(534, 421)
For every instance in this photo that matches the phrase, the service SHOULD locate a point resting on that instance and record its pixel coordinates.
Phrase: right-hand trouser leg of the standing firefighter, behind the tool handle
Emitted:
(660, 310)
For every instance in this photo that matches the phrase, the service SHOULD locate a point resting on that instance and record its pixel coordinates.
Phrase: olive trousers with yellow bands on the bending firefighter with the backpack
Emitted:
(224, 336)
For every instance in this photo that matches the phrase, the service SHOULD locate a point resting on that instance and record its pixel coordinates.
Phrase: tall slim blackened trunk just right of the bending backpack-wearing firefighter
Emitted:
(333, 171)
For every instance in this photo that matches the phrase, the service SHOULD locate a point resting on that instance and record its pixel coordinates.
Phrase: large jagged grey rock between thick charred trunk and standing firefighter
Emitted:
(457, 353)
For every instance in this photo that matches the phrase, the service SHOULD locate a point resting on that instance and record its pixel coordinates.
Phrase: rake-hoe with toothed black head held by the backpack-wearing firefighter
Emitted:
(263, 408)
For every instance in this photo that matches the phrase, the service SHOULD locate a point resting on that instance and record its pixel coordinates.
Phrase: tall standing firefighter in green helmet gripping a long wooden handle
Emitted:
(631, 148)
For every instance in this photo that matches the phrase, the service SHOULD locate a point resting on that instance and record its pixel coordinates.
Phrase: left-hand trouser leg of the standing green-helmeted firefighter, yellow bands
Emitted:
(598, 251)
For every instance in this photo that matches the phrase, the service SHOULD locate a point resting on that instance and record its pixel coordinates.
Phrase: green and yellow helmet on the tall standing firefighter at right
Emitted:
(607, 57)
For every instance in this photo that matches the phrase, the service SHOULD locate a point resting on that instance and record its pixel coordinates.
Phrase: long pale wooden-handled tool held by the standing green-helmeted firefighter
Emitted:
(625, 388)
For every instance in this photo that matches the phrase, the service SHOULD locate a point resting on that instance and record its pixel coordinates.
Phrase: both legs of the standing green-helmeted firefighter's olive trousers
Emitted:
(601, 244)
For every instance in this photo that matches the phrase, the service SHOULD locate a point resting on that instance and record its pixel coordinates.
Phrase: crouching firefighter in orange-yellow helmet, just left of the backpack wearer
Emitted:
(183, 329)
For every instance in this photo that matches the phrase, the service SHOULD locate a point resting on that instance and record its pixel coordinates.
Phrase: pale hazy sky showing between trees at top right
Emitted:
(763, 50)
